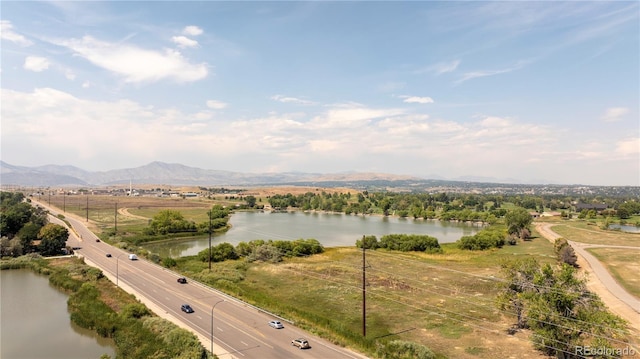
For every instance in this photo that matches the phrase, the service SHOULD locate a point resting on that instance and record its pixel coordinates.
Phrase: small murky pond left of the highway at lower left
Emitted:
(35, 322)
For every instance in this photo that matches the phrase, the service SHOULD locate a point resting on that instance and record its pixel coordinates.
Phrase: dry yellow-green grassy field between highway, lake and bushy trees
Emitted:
(443, 301)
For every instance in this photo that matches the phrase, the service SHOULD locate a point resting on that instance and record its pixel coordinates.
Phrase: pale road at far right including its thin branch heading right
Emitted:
(605, 280)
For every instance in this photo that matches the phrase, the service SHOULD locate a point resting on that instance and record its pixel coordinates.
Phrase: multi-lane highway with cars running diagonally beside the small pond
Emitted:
(239, 330)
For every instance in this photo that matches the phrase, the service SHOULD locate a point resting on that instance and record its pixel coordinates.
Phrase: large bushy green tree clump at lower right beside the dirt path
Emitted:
(561, 313)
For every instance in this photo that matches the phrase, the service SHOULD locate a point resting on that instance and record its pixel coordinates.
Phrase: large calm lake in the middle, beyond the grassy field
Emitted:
(332, 230)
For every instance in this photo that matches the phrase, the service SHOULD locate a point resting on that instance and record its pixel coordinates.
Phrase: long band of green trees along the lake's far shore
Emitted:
(446, 206)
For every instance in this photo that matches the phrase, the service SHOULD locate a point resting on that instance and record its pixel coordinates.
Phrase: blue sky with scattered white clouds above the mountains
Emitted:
(535, 92)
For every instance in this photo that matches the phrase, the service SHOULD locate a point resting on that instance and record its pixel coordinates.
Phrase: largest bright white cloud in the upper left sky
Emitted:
(136, 64)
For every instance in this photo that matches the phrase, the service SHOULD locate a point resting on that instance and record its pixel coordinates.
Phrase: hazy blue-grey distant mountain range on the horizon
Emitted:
(169, 174)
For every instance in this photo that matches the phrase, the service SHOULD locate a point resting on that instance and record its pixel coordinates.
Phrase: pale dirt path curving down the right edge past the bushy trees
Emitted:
(600, 281)
